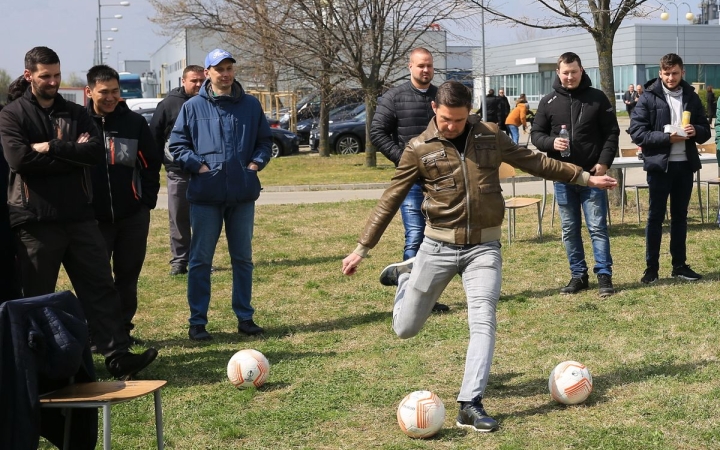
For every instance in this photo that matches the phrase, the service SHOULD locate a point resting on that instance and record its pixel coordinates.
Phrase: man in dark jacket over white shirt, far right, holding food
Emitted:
(671, 159)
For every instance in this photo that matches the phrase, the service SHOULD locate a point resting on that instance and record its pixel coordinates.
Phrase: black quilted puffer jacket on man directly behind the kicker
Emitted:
(402, 113)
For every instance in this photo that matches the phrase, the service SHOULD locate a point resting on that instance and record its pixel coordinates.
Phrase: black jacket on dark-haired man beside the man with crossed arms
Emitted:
(130, 176)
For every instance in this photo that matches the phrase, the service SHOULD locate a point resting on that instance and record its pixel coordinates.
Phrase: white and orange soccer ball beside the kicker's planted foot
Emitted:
(421, 414)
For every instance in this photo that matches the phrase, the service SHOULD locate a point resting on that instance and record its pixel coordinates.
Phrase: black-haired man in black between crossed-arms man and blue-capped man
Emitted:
(125, 187)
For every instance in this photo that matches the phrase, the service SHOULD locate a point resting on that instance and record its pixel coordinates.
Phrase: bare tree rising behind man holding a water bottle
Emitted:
(600, 18)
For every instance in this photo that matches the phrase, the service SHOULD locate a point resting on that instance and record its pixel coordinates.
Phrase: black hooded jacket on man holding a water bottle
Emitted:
(590, 120)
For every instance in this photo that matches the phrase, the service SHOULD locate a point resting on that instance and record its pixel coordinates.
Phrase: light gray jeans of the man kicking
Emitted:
(480, 267)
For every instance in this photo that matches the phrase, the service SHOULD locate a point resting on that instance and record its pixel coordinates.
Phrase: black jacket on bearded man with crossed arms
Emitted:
(53, 186)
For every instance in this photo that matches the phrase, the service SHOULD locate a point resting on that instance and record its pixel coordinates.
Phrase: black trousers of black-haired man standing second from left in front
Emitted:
(126, 242)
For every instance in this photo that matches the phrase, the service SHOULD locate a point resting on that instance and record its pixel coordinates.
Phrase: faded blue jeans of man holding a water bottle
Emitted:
(593, 202)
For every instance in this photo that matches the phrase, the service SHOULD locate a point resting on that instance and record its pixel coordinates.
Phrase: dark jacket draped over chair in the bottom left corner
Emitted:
(43, 345)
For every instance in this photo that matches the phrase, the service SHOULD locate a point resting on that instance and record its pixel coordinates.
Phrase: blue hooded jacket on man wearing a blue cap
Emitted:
(226, 133)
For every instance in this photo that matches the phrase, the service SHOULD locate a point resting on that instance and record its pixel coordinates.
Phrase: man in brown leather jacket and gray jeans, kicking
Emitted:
(463, 231)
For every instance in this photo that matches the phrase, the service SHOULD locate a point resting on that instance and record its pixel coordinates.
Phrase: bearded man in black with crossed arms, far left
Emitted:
(50, 145)
